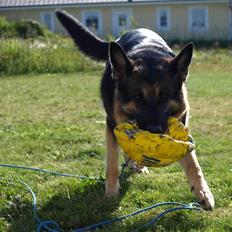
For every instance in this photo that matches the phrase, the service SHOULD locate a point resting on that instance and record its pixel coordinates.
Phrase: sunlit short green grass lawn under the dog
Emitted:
(57, 122)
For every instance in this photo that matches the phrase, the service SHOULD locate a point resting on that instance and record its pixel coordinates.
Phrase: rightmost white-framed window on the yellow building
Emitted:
(198, 19)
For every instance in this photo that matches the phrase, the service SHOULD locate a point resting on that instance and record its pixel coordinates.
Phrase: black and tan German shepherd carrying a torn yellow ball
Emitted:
(143, 81)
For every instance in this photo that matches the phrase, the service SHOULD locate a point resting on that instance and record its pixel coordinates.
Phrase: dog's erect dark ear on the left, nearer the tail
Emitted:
(119, 61)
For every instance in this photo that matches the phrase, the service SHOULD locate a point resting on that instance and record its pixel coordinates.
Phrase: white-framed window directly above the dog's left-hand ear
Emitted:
(121, 20)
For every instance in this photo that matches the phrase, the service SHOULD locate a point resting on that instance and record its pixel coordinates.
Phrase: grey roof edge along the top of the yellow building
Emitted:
(44, 3)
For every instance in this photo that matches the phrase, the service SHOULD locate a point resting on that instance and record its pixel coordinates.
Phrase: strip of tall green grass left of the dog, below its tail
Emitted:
(18, 56)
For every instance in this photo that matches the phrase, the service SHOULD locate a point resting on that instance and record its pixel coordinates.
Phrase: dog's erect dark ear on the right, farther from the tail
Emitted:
(180, 64)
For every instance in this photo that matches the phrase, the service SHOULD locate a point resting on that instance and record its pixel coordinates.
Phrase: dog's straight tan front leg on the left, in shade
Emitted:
(112, 166)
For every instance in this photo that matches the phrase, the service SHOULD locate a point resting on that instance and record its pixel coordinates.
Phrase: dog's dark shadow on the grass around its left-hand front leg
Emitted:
(86, 205)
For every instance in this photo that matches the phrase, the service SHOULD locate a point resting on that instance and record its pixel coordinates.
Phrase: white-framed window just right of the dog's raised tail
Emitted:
(92, 20)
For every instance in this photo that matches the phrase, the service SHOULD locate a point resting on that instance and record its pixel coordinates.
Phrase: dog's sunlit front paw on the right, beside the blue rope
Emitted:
(204, 196)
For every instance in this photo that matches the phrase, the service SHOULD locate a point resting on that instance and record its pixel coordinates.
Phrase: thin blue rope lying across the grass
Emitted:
(52, 226)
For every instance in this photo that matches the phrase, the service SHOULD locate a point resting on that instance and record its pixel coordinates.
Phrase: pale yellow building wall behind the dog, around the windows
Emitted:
(145, 16)
